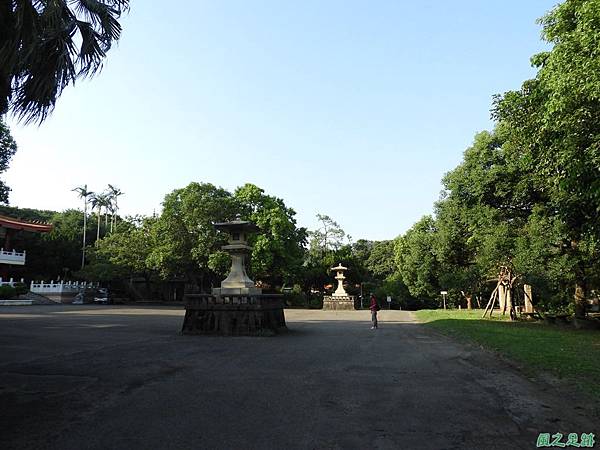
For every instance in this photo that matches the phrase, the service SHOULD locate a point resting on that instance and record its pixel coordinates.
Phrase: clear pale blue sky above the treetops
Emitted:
(354, 109)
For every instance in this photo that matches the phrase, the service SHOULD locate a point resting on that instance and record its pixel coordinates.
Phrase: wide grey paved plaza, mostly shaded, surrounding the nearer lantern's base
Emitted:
(107, 377)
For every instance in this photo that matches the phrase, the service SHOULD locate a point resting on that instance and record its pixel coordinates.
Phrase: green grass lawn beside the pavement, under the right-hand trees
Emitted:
(571, 354)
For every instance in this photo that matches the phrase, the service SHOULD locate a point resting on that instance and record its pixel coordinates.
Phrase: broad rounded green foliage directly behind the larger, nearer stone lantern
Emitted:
(185, 242)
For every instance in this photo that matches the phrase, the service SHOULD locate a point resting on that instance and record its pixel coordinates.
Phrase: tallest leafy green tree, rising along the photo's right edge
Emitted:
(553, 127)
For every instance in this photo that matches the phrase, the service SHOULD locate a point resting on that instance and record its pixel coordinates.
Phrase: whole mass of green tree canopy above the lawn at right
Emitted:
(527, 194)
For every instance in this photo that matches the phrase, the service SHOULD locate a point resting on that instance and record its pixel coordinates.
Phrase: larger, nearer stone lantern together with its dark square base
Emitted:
(237, 307)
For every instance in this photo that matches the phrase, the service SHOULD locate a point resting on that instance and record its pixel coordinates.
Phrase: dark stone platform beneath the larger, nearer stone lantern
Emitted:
(234, 315)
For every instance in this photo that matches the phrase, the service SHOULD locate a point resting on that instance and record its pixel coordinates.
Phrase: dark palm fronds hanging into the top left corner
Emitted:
(45, 46)
